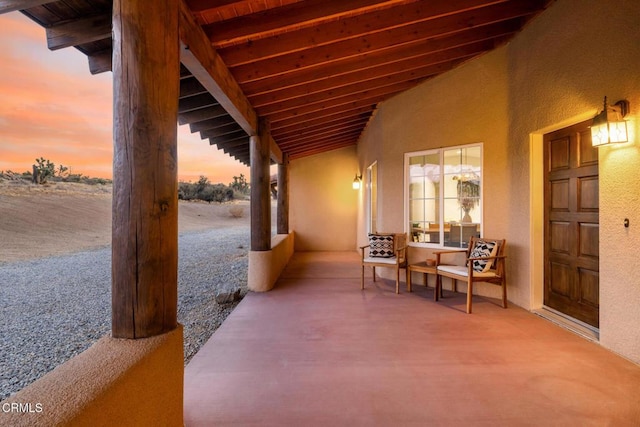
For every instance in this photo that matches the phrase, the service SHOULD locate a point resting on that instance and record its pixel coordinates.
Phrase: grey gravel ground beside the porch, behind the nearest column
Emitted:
(52, 309)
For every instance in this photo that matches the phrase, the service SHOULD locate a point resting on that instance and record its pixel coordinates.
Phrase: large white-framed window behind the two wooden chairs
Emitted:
(443, 195)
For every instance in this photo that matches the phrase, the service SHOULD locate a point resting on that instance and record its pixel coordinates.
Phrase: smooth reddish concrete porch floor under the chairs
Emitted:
(318, 351)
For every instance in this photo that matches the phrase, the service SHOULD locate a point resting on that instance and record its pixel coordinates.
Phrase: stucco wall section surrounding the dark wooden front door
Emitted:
(559, 69)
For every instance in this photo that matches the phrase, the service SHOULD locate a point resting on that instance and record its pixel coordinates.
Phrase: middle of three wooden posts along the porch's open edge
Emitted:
(260, 190)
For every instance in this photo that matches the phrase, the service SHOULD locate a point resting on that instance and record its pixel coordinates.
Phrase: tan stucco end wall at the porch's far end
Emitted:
(323, 205)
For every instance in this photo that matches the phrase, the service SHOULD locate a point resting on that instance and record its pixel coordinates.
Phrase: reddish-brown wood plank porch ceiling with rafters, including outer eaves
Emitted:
(315, 69)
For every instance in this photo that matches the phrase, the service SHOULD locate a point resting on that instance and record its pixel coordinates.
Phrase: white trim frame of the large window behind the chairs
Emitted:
(440, 151)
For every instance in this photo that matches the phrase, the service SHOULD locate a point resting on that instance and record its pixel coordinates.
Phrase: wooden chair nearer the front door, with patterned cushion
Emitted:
(489, 267)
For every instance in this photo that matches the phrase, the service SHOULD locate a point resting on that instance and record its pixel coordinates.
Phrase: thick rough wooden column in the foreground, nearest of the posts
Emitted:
(145, 203)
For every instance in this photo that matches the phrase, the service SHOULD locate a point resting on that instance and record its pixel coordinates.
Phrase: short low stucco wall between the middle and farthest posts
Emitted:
(266, 266)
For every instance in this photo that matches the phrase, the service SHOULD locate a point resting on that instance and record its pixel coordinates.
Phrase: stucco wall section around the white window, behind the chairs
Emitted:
(466, 105)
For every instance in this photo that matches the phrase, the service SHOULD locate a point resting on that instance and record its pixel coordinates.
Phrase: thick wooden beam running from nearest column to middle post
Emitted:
(197, 55)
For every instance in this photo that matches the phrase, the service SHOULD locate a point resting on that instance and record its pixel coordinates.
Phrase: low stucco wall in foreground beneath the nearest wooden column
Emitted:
(115, 382)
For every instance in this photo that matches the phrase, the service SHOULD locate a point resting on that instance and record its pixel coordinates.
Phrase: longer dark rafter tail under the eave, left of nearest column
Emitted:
(79, 31)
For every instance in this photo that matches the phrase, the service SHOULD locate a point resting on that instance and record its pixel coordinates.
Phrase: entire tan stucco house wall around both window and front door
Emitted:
(553, 74)
